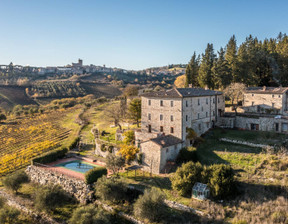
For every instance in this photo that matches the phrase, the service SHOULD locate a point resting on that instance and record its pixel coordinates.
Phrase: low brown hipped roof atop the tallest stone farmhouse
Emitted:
(182, 92)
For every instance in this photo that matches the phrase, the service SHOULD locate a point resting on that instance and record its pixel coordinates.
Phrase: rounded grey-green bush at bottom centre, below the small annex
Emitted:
(150, 205)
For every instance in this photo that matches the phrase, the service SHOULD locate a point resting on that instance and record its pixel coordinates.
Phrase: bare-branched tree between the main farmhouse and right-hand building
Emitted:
(235, 91)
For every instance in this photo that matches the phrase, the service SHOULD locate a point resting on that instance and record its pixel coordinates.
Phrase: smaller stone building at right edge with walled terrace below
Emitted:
(264, 109)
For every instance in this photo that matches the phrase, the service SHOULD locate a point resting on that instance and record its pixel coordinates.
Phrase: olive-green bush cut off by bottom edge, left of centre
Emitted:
(90, 214)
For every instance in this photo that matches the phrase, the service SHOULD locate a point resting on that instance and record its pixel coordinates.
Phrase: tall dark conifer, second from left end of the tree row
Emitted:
(205, 77)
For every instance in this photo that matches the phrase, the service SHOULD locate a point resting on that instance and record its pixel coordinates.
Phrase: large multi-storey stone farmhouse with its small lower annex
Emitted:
(166, 116)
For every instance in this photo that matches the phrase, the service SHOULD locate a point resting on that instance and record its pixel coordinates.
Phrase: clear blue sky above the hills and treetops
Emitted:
(129, 34)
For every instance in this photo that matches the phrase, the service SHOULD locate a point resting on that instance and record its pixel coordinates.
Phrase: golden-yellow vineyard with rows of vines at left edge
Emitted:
(23, 139)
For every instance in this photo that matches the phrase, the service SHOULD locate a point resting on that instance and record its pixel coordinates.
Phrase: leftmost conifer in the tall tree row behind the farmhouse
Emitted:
(192, 70)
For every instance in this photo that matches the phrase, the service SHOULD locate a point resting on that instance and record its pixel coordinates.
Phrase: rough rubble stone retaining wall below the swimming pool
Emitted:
(77, 188)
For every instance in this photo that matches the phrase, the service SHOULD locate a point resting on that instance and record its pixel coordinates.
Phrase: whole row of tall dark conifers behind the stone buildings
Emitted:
(253, 63)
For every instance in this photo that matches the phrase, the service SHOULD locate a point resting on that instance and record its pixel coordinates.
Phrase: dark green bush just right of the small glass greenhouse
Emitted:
(221, 181)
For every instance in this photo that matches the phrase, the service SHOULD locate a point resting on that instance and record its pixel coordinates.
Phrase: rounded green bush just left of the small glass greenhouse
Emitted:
(185, 177)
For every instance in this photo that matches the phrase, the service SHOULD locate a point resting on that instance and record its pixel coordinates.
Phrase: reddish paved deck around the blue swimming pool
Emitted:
(68, 172)
